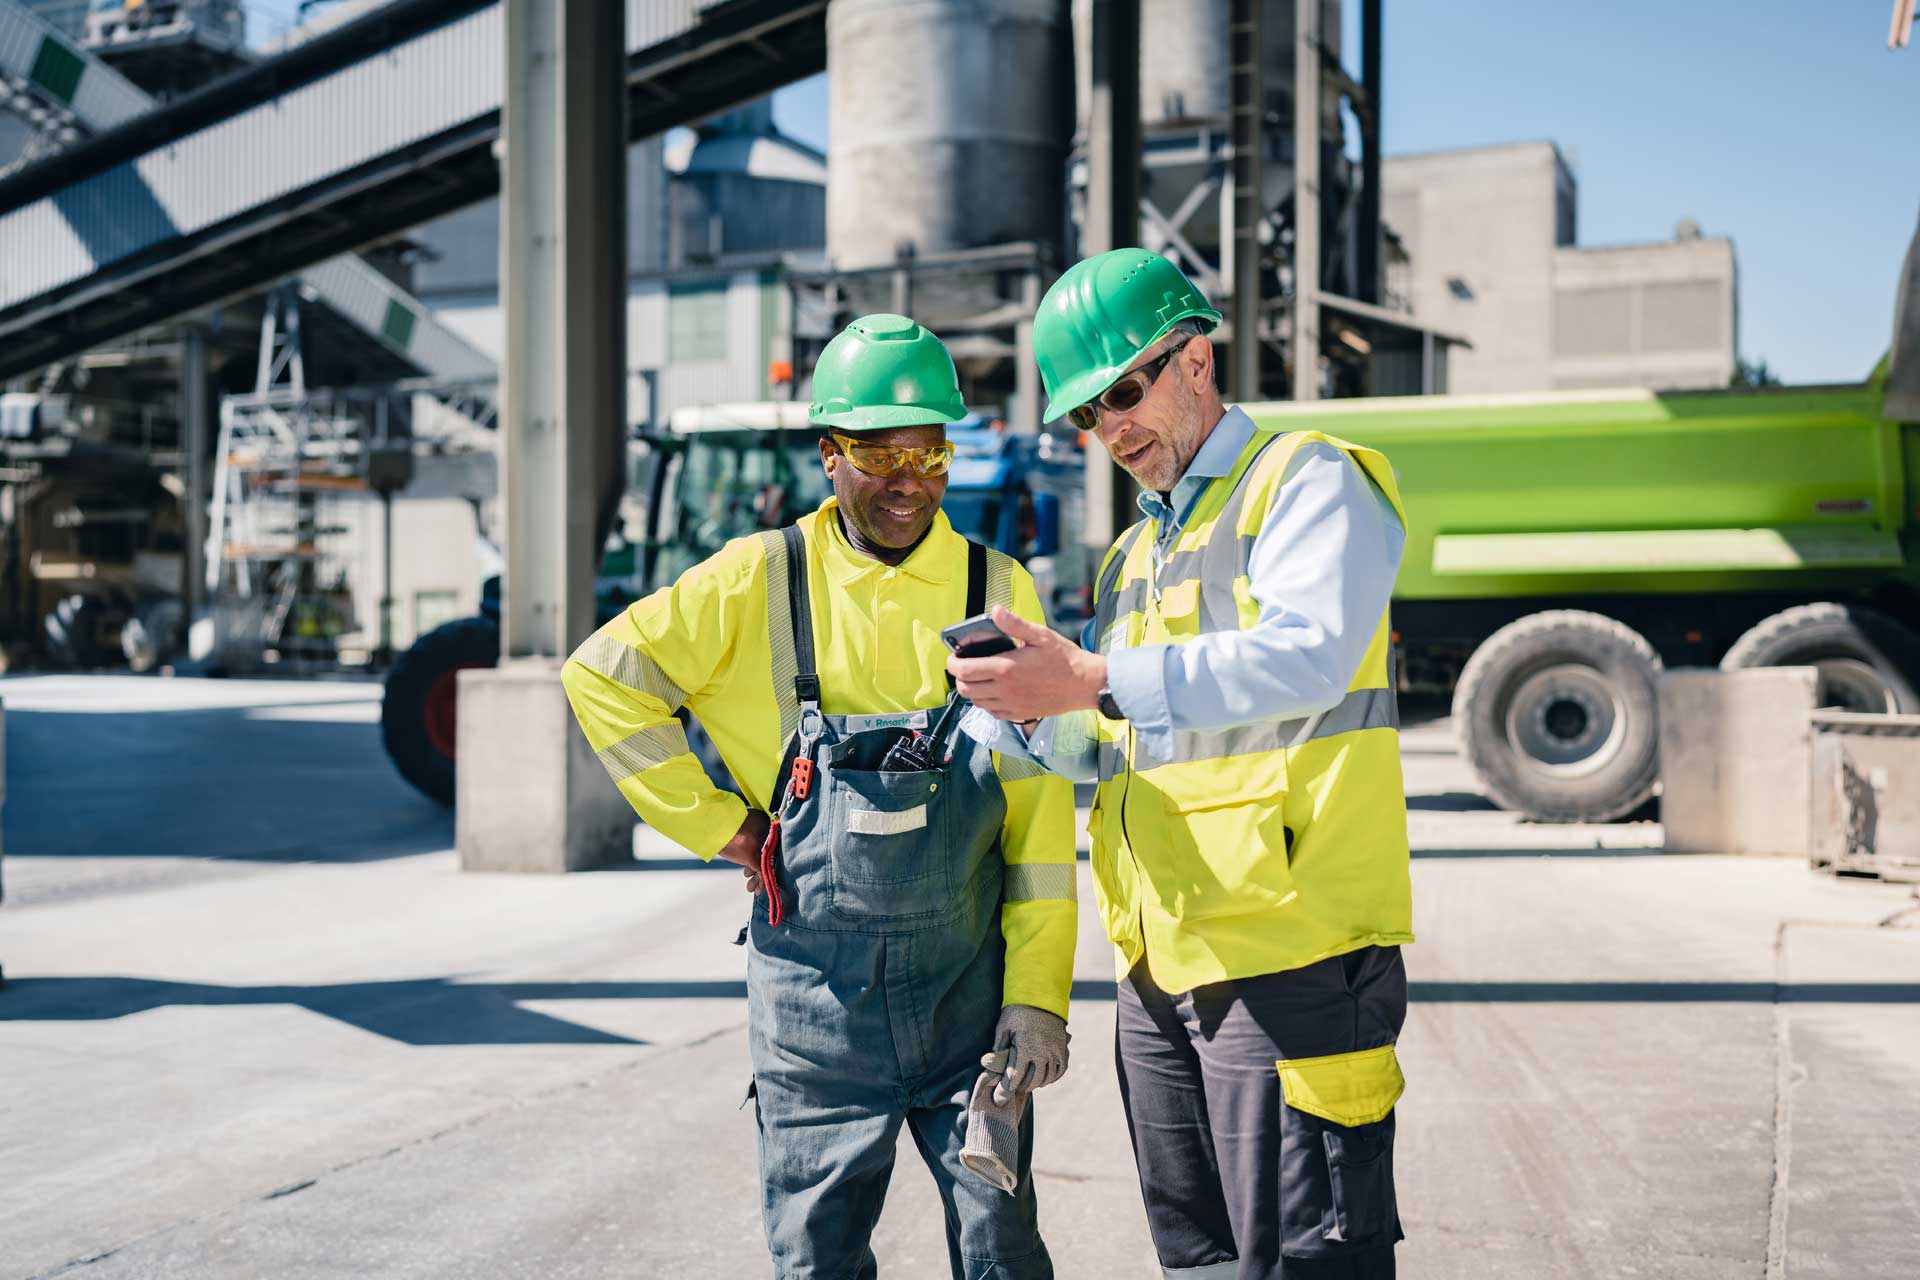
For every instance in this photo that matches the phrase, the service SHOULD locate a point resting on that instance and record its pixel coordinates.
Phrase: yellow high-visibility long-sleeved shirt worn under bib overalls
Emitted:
(704, 644)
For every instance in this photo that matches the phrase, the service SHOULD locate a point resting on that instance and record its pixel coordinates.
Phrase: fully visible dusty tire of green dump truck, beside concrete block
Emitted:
(1558, 715)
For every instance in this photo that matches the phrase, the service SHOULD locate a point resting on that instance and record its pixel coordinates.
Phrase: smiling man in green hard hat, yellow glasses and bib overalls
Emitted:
(913, 891)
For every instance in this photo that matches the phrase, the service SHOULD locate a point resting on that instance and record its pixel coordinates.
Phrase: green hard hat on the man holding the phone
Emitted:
(1101, 316)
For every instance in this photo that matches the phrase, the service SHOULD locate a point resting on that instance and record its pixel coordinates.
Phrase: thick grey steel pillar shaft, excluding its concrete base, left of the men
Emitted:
(564, 273)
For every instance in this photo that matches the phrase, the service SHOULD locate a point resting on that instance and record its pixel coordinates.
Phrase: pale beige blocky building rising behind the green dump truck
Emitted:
(1493, 243)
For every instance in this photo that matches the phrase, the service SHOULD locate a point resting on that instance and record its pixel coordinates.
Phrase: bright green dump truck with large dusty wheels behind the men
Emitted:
(1566, 548)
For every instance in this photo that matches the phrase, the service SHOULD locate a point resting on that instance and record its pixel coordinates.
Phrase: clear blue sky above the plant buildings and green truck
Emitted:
(1787, 126)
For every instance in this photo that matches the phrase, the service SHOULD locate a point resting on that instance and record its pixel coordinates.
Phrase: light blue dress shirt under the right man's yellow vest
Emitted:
(1322, 573)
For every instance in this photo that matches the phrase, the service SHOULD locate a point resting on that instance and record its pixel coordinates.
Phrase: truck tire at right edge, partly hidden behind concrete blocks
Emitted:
(1867, 661)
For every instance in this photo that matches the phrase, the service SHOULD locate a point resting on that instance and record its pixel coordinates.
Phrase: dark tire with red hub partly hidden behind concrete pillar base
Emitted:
(418, 711)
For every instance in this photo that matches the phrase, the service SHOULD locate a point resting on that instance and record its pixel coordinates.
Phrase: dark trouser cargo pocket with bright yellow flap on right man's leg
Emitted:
(1339, 1139)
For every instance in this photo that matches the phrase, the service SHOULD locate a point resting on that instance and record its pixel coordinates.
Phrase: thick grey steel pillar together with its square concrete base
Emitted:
(529, 794)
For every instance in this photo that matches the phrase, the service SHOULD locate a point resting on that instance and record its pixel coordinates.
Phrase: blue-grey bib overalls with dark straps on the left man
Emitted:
(875, 997)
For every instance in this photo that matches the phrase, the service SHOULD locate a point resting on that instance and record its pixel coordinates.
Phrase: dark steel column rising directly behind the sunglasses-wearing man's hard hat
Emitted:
(1113, 216)
